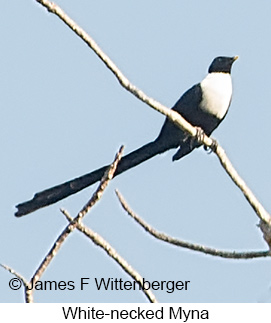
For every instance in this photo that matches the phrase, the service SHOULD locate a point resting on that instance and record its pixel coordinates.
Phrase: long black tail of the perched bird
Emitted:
(59, 192)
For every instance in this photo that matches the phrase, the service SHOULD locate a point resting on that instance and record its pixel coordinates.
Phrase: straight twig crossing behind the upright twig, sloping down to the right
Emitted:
(101, 242)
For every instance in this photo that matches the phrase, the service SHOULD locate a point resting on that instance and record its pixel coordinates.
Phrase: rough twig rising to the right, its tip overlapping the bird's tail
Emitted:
(72, 225)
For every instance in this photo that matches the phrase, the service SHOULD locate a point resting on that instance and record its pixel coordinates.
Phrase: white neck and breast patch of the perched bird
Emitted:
(216, 94)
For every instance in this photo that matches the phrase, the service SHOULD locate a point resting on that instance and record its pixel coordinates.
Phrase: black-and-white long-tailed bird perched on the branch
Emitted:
(204, 106)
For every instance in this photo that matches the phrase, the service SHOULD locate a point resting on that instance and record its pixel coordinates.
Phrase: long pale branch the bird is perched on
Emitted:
(172, 115)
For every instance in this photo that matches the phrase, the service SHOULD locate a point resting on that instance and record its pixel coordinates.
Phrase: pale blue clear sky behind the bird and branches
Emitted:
(64, 114)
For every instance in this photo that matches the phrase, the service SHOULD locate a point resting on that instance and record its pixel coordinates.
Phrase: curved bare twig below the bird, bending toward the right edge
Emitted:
(188, 245)
